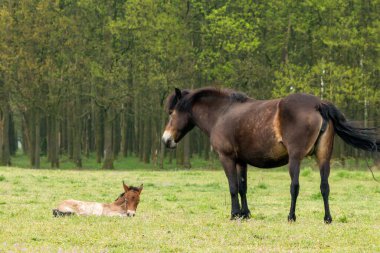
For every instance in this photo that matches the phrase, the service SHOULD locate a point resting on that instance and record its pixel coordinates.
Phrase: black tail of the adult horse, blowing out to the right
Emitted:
(363, 138)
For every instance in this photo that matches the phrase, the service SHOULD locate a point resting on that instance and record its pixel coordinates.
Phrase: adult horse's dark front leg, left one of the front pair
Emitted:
(229, 166)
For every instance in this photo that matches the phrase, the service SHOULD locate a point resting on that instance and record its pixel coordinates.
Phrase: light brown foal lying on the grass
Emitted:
(124, 205)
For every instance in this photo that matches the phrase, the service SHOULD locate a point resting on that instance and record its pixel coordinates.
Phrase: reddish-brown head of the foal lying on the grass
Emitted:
(131, 198)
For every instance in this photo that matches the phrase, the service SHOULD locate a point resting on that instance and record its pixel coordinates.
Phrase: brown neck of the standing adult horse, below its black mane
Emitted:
(207, 112)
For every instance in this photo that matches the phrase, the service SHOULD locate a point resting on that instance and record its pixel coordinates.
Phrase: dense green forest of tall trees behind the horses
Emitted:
(82, 77)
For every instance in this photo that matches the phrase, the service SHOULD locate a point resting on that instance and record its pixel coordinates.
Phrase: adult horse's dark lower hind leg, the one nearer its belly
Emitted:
(294, 171)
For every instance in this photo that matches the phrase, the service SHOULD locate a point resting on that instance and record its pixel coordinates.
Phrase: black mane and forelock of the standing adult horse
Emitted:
(189, 97)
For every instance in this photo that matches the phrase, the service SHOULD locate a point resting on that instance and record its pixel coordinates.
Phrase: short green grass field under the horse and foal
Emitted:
(187, 211)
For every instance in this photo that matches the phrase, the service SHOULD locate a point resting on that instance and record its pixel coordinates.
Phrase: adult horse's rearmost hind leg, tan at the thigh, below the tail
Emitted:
(323, 154)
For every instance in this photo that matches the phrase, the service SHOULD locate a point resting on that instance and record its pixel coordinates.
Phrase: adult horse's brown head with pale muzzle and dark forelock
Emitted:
(180, 122)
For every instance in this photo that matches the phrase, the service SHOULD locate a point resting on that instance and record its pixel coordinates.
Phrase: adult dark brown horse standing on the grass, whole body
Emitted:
(264, 134)
